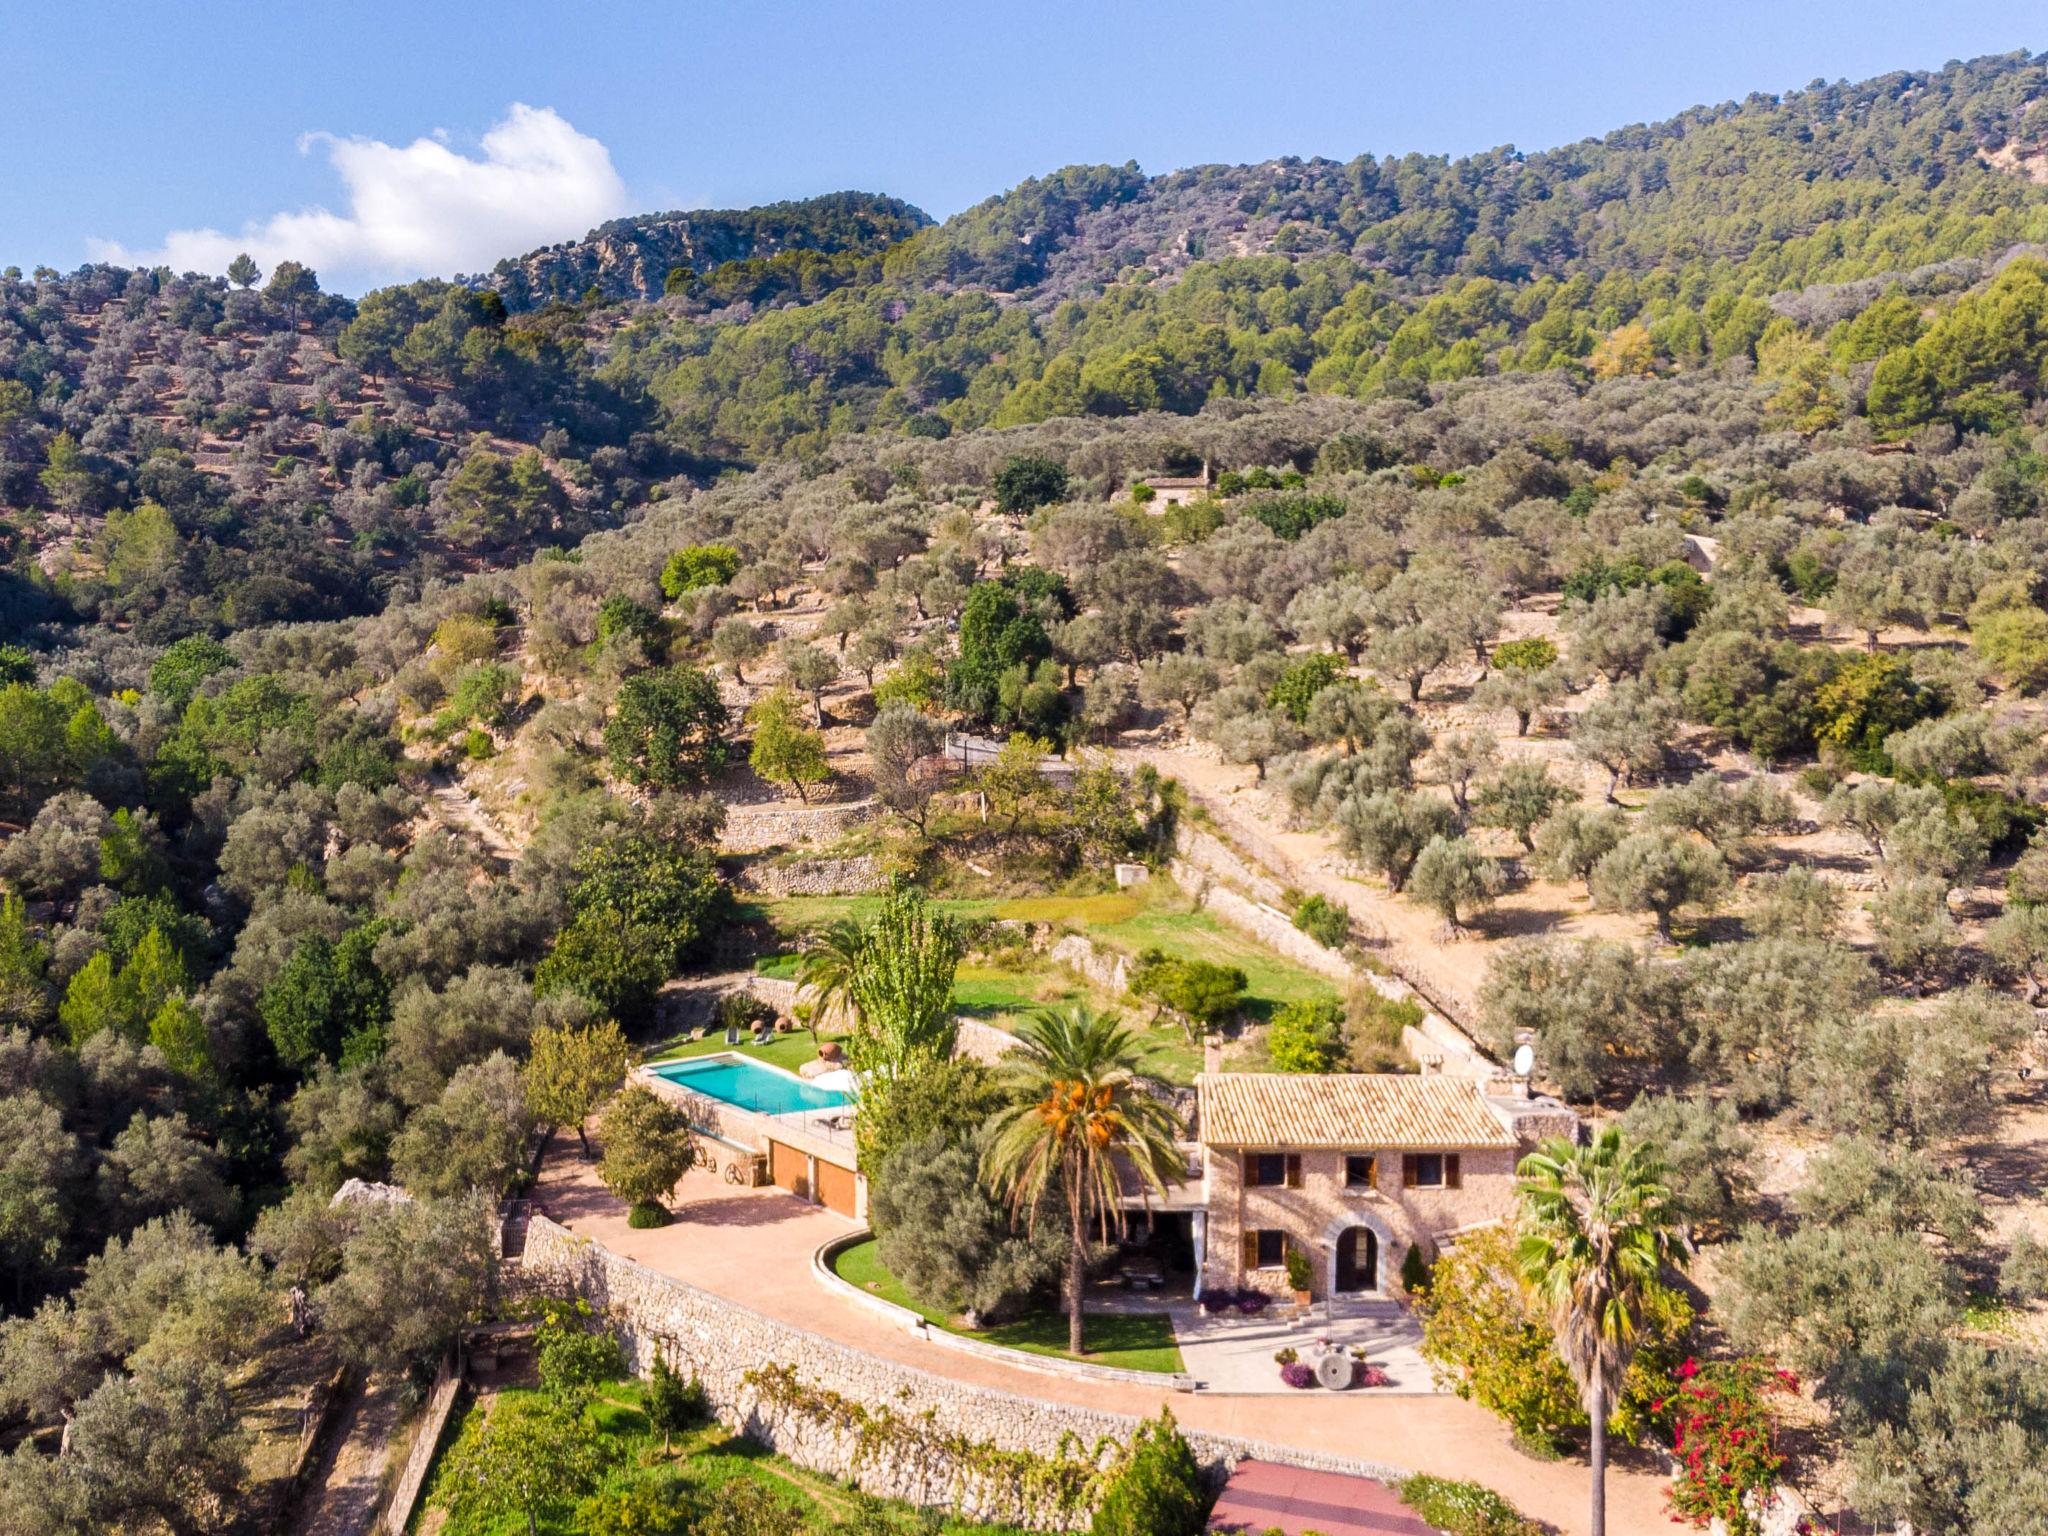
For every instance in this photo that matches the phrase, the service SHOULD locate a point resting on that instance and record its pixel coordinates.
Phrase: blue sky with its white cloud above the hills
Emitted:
(136, 120)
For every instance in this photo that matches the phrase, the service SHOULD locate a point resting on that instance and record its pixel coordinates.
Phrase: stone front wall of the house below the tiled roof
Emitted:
(1316, 1213)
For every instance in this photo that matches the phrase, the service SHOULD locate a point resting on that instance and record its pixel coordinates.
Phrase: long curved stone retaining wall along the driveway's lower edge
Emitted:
(720, 1342)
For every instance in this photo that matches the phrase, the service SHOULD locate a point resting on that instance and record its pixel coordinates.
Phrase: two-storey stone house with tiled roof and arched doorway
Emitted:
(1355, 1170)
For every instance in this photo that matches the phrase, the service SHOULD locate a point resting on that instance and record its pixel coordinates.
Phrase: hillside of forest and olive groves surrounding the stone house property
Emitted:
(1621, 568)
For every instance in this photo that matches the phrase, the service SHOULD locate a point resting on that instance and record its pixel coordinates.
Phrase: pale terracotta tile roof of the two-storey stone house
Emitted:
(1281, 1109)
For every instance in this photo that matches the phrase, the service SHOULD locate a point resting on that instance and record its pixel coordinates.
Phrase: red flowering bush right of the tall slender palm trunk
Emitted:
(1725, 1441)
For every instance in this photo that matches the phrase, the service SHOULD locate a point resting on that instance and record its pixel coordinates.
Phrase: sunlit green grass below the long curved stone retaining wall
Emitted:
(703, 1463)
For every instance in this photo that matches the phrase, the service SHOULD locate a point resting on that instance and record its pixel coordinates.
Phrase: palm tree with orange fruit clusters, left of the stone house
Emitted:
(1080, 1111)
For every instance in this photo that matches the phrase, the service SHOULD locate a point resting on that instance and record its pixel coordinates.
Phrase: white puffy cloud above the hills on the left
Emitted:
(421, 210)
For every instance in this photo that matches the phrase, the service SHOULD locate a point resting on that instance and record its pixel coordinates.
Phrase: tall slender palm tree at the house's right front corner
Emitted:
(1598, 1232)
